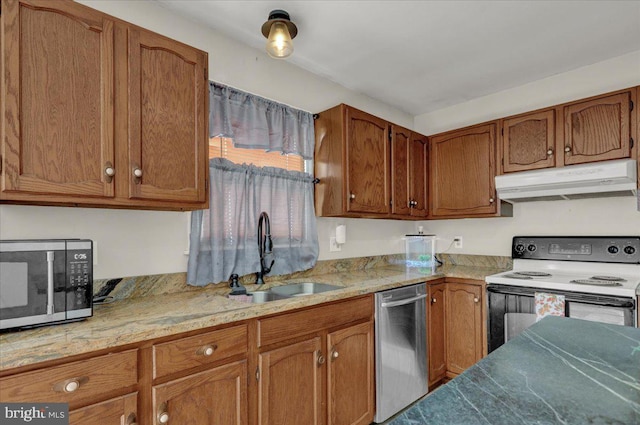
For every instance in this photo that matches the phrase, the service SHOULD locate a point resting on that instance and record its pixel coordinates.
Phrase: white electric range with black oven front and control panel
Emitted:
(597, 276)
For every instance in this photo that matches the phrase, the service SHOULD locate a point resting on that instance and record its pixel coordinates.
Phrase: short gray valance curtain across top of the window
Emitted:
(254, 122)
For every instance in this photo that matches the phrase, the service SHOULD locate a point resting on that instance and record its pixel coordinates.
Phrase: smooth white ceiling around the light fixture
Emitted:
(420, 56)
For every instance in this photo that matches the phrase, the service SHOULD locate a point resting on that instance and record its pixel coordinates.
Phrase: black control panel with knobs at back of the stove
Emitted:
(601, 249)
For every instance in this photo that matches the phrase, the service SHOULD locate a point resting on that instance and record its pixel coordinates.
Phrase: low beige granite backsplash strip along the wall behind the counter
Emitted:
(142, 286)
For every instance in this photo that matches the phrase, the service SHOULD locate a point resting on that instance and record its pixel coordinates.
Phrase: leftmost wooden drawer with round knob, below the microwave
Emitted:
(73, 382)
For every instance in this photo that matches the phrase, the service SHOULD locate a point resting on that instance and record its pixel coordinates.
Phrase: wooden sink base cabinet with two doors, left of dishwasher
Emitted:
(325, 376)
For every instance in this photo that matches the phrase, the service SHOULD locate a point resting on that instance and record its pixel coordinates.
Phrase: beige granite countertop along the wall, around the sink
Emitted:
(133, 320)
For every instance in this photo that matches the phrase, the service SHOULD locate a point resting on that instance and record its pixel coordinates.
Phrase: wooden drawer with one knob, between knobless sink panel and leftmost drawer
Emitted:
(186, 353)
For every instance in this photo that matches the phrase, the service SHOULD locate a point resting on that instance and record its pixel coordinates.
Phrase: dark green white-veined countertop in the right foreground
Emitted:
(558, 371)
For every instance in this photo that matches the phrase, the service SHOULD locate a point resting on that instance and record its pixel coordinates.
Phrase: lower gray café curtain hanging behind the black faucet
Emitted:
(224, 240)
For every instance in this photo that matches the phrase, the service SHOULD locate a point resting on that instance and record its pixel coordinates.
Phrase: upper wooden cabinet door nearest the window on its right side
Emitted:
(367, 163)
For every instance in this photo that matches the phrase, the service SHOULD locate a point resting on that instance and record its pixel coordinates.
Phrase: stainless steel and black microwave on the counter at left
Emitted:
(45, 281)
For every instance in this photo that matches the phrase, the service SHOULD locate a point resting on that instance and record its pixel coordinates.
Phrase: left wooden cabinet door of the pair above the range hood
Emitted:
(528, 142)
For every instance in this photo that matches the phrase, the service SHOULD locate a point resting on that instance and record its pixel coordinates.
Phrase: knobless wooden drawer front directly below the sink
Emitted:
(291, 325)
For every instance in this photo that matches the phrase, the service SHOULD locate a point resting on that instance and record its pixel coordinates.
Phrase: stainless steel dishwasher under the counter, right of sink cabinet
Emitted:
(401, 349)
